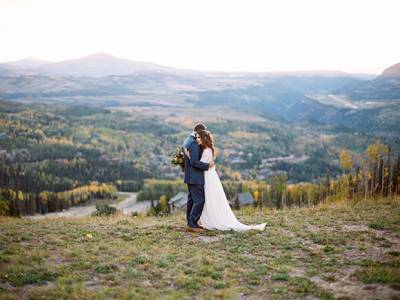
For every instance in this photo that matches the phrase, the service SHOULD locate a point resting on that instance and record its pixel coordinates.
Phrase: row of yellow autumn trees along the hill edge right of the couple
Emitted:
(376, 172)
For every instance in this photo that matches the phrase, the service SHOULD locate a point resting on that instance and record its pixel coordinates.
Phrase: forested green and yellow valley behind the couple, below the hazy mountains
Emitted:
(59, 148)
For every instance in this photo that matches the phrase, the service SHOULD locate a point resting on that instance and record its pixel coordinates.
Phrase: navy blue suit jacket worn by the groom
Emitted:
(194, 168)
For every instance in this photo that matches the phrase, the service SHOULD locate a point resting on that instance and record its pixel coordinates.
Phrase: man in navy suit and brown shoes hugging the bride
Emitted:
(194, 178)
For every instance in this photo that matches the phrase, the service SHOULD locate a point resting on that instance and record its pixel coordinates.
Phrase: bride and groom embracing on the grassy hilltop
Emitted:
(207, 203)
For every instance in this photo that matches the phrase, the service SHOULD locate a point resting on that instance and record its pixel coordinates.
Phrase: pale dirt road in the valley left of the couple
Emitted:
(127, 206)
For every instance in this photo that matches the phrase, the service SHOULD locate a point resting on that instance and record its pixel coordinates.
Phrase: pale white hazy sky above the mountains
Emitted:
(248, 35)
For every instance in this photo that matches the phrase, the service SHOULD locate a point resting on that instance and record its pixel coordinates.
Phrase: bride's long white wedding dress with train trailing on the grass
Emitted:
(217, 213)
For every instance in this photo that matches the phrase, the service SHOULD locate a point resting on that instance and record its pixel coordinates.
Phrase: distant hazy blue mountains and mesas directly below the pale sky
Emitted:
(358, 101)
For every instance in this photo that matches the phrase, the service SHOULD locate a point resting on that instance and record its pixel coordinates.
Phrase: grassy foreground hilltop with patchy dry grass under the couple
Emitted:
(342, 250)
